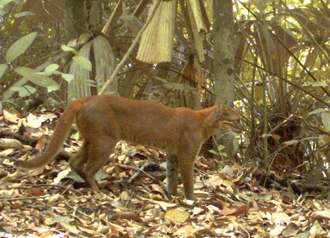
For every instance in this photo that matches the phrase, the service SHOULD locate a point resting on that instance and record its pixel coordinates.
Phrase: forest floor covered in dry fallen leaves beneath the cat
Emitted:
(234, 201)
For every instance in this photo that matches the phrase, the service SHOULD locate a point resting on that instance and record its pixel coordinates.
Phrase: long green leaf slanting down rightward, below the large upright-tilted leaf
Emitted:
(40, 80)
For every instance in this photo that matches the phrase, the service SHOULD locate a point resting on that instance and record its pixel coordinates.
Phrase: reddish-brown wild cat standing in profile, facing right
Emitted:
(104, 120)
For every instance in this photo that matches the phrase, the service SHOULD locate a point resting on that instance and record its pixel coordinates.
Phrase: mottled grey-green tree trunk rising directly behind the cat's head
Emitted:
(223, 36)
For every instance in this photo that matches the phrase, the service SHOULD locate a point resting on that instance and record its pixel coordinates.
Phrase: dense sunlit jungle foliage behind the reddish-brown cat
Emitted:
(52, 52)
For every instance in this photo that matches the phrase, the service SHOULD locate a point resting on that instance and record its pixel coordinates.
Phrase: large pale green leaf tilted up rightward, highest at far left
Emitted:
(19, 47)
